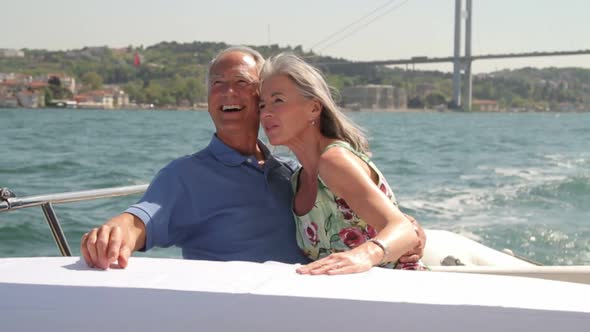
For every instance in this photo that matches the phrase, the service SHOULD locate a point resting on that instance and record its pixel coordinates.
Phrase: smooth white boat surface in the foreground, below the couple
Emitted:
(51, 294)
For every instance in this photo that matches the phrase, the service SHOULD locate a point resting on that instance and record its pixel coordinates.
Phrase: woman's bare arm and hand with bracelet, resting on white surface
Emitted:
(350, 178)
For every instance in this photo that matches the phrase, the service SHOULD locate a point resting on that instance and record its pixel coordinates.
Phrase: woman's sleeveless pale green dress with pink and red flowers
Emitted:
(332, 226)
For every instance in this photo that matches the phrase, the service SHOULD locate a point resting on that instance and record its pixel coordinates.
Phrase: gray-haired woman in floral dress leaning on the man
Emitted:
(346, 213)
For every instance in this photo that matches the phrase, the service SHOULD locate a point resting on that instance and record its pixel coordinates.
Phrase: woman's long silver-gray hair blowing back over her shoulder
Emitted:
(312, 85)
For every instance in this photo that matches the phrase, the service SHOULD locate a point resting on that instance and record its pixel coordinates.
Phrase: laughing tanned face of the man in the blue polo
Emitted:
(233, 95)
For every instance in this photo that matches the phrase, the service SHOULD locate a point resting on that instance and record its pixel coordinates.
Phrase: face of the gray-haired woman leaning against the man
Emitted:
(284, 113)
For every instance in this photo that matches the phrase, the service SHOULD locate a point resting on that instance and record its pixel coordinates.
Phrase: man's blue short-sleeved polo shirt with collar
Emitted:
(220, 205)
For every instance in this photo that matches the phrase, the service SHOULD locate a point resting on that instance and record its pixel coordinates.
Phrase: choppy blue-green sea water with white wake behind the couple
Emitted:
(508, 180)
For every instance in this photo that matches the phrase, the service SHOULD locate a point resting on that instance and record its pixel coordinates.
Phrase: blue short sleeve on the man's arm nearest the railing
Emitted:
(157, 207)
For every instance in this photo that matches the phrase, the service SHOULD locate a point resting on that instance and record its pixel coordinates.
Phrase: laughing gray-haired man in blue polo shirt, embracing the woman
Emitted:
(229, 201)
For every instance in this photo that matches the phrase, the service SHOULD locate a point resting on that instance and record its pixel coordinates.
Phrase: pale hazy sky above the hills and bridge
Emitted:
(384, 29)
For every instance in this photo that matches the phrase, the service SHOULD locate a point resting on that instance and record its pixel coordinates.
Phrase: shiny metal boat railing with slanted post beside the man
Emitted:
(9, 202)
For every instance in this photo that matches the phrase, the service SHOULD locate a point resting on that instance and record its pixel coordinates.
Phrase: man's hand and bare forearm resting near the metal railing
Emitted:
(113, 242)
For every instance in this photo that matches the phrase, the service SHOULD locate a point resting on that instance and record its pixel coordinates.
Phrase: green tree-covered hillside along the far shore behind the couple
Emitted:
(173, 73)
